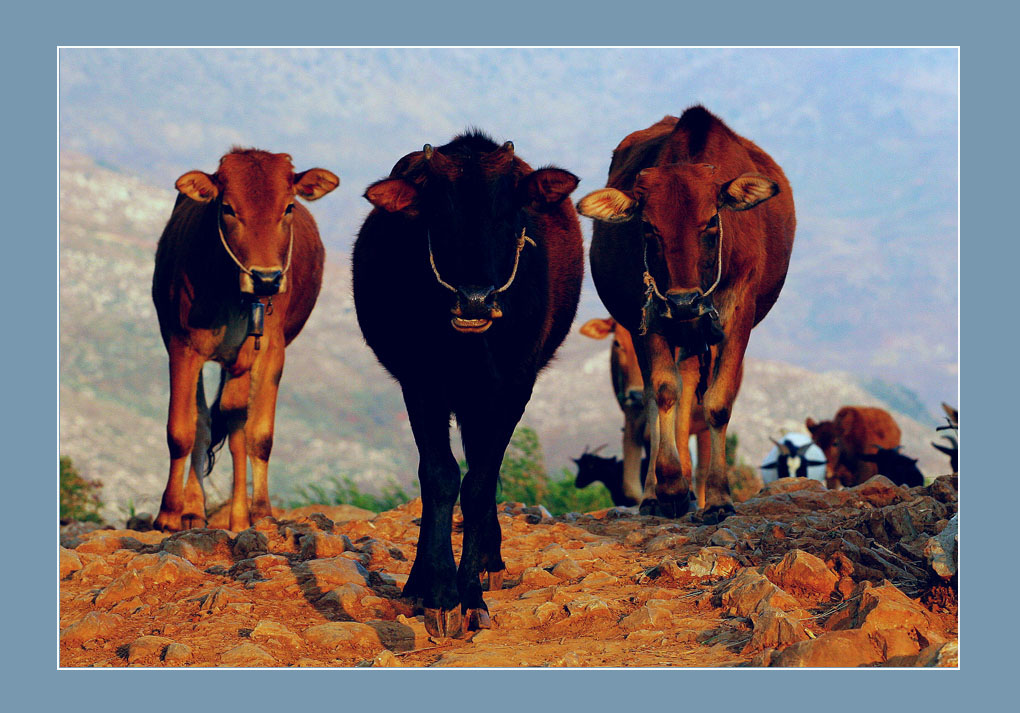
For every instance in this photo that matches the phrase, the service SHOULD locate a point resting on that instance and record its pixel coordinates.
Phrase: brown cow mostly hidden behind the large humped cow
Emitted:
(630, 389)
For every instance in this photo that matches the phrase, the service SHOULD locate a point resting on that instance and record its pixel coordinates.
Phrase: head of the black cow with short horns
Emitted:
(469, 196)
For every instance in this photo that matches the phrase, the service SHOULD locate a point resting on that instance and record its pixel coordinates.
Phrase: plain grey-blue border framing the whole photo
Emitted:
(31, 358)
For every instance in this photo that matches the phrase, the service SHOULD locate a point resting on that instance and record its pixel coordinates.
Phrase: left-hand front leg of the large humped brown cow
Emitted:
(668, 487)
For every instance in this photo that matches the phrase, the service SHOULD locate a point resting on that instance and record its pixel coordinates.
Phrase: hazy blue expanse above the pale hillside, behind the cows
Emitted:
(869, 139)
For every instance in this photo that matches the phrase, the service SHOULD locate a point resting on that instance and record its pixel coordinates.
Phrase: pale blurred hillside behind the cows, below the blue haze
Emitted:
(339, 414)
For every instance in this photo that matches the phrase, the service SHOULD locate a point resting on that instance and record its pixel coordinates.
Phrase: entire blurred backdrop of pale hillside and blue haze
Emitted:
(869, 139)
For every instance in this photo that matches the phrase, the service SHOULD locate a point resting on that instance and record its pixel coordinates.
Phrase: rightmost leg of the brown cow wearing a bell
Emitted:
(266, 375)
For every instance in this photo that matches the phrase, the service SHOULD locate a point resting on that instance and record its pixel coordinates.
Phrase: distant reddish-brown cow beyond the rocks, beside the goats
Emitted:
(854, 431)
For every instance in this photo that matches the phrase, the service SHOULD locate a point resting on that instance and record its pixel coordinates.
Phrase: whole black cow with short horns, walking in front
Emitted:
(467, 278)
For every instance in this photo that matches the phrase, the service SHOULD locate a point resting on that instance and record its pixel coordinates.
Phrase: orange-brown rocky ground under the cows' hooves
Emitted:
(799, 577)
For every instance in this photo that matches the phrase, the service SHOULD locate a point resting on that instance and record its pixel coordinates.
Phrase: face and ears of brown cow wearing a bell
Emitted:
(256, 193)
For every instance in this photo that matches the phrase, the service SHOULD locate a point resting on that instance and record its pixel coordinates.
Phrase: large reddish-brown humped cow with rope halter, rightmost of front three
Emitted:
(691, 247)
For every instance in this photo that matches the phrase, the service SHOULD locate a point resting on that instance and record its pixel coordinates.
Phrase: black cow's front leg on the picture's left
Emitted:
(434, 575)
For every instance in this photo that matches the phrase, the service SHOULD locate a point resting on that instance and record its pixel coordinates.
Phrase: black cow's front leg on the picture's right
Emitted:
(486, 438)
